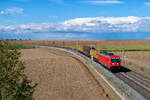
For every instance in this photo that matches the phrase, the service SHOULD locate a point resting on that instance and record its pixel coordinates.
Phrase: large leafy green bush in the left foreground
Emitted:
(14, 84)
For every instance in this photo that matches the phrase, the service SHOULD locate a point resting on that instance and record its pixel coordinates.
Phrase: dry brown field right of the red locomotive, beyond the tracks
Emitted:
(137, 60)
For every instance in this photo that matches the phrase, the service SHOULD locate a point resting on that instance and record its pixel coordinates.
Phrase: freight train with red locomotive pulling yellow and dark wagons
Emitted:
(109, 60)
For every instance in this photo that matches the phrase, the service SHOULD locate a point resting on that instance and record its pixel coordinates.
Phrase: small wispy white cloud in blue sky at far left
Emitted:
(13, 10)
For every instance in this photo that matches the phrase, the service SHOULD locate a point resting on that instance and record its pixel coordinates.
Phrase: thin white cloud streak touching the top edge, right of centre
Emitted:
(106, 2)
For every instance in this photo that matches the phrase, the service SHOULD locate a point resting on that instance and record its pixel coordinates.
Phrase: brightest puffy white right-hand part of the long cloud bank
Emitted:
(108, 24)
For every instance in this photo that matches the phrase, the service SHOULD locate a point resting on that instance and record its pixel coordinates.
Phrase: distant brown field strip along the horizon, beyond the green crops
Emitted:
(83, 42)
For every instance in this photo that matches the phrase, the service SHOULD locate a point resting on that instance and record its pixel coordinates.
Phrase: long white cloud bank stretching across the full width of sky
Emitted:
(80, 26)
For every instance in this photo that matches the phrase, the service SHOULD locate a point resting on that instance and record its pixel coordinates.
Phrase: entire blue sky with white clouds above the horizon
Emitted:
(75, 19)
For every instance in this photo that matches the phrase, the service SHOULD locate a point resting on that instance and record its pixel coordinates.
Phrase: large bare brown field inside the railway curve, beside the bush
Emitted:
(60, 76)
